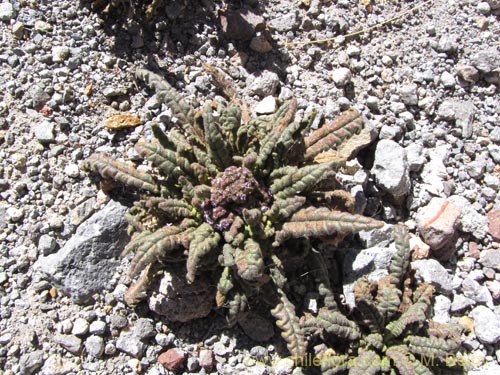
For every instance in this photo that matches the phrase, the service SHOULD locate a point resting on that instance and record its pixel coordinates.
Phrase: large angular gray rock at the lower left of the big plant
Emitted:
(84, 265)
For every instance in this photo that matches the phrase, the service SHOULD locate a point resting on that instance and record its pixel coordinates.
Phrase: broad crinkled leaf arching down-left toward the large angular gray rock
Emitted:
(150, 247)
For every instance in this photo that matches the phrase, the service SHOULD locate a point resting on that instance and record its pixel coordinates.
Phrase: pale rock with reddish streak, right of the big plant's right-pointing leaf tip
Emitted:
(437, 223)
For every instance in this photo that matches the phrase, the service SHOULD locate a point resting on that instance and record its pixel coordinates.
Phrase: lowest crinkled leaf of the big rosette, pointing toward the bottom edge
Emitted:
(291, 331)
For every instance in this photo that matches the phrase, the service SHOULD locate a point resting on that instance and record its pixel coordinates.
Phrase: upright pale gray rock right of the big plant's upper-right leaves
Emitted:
(390, 169)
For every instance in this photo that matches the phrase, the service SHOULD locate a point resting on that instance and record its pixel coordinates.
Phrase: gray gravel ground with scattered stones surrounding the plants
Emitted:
(428, 81)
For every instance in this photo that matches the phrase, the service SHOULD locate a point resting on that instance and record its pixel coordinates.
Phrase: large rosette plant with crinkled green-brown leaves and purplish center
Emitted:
(238, 198)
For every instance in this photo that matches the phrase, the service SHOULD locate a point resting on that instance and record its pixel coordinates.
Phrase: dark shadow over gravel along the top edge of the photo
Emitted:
(180, 28)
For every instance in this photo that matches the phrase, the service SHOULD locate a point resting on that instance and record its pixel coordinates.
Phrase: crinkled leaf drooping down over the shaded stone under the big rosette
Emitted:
(202, 240)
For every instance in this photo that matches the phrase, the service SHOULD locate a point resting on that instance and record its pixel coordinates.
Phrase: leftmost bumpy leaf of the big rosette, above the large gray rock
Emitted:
(121, 172)
